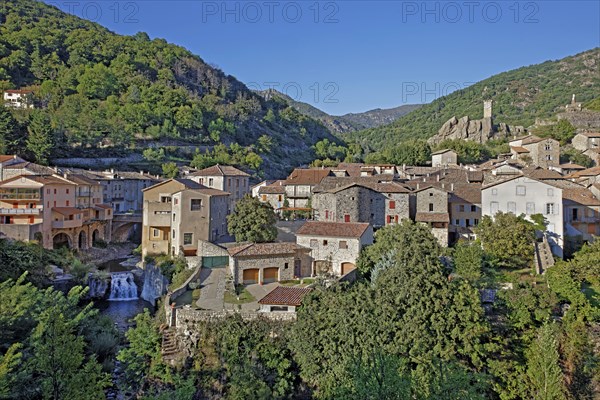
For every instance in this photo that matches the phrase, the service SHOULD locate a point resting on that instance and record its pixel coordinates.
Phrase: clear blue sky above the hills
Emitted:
(352, 56)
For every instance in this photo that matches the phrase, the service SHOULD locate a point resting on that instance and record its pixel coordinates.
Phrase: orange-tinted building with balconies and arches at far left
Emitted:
(46, 209)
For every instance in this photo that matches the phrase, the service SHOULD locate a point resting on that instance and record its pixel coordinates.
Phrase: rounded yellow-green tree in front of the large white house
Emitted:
(507, 238)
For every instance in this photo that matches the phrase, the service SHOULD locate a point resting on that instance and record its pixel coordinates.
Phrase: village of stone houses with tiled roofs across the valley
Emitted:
(327, 215)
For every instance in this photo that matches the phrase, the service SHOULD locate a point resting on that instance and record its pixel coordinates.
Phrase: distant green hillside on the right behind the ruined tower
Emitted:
(520, 96)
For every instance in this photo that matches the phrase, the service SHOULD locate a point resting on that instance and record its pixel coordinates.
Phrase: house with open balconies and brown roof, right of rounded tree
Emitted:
(299, 185)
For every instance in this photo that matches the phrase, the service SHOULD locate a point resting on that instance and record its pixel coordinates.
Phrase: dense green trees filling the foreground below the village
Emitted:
(412, 327)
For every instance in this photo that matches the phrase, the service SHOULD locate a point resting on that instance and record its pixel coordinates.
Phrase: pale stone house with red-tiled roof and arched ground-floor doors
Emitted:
(334, 246)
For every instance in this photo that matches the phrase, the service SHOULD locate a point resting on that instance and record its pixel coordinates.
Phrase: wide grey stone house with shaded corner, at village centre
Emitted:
(377, 203)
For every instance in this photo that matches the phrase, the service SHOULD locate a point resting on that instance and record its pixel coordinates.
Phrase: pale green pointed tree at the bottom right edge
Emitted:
(544, 376)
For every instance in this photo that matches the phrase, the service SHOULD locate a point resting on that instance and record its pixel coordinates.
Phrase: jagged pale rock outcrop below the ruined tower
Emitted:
(477, 130)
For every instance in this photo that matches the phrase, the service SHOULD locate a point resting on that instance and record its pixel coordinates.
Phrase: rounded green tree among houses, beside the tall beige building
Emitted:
(252, 221)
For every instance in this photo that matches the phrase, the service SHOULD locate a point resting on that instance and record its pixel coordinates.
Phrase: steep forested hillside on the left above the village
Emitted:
(106, 94)
